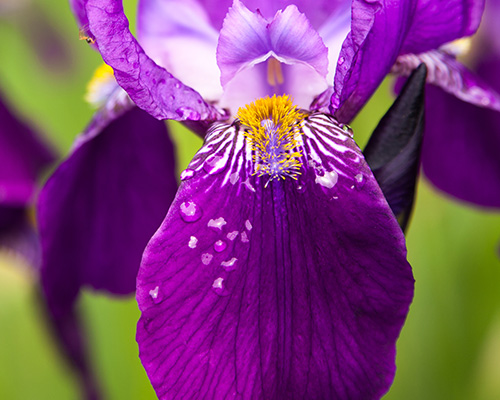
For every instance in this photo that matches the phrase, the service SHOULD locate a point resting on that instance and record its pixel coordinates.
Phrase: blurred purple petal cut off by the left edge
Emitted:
(22, 157)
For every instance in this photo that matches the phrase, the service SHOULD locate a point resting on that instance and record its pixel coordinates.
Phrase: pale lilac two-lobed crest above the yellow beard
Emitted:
(248, 38)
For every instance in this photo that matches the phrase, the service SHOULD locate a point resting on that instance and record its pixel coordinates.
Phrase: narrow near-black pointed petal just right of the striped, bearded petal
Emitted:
(393, 151)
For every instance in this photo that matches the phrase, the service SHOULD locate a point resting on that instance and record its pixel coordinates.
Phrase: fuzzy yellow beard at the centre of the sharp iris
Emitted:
(273, 124)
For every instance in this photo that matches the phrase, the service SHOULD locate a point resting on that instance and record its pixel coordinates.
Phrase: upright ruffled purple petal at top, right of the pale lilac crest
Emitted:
(382, 30)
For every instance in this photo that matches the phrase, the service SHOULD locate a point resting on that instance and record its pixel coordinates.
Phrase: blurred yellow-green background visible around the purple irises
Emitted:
(449, 348)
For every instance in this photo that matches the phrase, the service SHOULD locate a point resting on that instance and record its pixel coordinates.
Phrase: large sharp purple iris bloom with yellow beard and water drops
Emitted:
(280, 270)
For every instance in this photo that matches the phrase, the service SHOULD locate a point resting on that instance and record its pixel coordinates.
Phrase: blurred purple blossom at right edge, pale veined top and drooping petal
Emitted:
(460, 151)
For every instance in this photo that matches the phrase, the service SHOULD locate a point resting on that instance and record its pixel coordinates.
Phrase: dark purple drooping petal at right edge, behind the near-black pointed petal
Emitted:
(460, 151)
